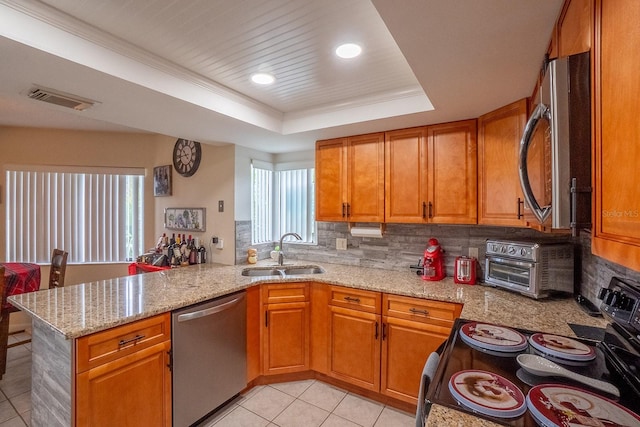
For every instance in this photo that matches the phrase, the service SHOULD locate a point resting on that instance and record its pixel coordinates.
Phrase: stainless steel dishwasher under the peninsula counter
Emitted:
(209, 356)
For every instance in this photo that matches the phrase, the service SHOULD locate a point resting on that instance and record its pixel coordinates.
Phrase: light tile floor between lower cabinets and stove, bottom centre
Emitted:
(306, 403)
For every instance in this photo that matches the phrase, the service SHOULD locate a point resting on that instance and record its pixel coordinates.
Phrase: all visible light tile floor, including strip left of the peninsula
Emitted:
(306, 403)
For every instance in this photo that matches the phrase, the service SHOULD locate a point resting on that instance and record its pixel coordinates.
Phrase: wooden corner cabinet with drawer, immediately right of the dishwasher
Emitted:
(286, 346)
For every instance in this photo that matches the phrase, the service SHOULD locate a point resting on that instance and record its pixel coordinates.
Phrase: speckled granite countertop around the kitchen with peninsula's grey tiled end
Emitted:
(61, 317)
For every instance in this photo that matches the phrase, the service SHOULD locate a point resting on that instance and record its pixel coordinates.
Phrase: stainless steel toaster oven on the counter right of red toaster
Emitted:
(535, 269)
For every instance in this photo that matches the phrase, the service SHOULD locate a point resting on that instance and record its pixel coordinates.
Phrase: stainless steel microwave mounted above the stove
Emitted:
(555, 150)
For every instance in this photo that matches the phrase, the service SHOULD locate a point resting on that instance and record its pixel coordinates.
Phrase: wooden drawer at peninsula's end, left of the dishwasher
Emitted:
(102, 347)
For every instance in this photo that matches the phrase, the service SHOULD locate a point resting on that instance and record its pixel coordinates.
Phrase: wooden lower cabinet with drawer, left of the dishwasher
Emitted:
(123, 376)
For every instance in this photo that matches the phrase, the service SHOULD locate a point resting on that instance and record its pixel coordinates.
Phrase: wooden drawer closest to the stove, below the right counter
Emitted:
(421, 310)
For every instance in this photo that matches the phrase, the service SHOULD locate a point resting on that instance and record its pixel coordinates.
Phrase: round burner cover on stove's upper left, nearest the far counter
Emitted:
(493, 337)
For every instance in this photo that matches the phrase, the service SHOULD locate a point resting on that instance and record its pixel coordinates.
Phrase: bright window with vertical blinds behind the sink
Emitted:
(282, 201)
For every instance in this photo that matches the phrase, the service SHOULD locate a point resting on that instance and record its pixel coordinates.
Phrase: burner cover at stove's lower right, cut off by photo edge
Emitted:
(563, 405)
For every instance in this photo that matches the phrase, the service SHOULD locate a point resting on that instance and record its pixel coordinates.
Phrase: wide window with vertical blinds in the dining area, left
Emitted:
(95, 214)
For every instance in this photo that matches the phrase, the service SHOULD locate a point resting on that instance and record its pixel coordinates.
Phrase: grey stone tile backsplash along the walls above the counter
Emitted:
(402, 245)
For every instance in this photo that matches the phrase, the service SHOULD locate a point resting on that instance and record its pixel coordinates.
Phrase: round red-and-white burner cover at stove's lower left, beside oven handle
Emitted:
(487, 393)
